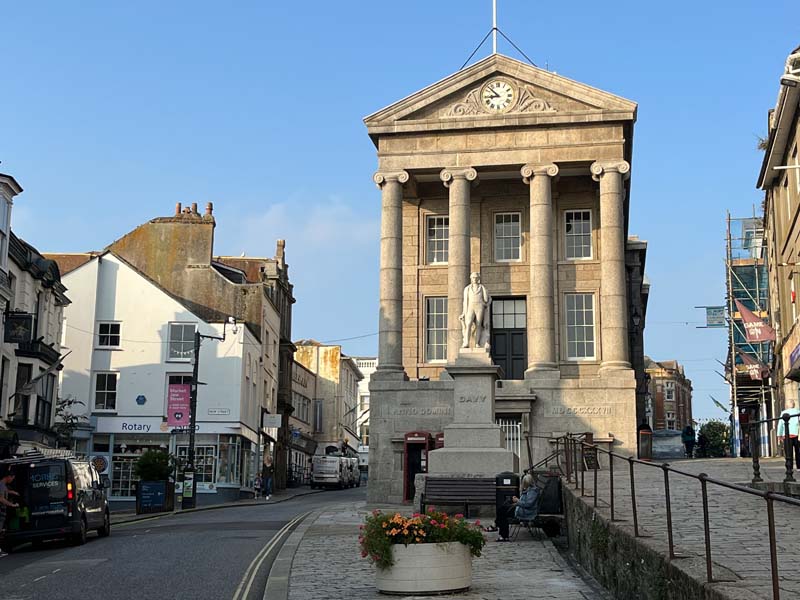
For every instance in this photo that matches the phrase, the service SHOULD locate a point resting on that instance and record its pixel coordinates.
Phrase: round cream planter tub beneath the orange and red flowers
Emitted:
(427, 569)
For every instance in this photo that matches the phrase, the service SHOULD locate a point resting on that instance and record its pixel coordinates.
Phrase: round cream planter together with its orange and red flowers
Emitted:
(423, 553)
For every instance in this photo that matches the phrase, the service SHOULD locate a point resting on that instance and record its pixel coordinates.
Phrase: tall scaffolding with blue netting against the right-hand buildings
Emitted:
(746, 279)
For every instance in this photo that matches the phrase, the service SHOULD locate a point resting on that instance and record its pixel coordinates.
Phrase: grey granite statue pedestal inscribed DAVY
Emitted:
(473, 443)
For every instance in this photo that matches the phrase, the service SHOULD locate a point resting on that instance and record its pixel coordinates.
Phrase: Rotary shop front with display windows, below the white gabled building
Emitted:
(226, 456)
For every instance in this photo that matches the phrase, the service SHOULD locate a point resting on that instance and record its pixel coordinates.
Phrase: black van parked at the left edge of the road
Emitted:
(59, 498)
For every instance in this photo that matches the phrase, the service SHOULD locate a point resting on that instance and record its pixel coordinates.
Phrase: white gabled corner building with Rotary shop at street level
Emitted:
(130, 340)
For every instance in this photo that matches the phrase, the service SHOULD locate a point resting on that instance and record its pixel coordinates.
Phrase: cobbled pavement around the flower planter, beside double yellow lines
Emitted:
(328, 566)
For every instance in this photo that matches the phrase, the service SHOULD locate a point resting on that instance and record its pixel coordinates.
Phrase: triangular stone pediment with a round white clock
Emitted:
(535, 96)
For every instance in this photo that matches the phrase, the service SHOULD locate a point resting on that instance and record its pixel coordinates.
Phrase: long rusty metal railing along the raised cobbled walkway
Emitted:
(575, 449)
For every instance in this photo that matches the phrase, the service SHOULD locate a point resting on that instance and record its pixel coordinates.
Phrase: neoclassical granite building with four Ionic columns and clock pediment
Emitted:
(522, 175)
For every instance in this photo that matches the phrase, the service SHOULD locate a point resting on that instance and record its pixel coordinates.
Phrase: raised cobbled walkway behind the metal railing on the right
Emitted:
(737, 521)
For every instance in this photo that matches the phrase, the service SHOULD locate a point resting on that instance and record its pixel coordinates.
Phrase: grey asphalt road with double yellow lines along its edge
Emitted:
(211, 555)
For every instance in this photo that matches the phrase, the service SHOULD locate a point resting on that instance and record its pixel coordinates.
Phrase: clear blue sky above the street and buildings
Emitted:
(112, 112)
